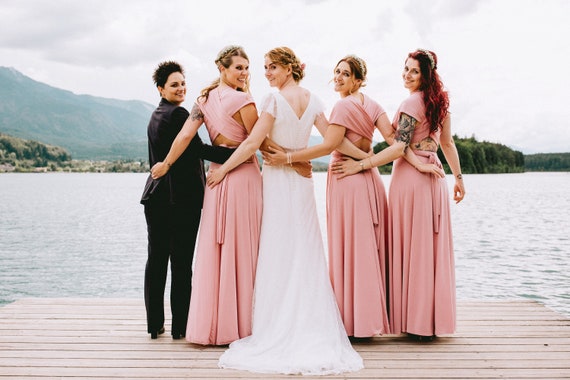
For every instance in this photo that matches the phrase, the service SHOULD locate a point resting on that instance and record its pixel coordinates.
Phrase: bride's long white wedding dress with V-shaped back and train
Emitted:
(297, 328)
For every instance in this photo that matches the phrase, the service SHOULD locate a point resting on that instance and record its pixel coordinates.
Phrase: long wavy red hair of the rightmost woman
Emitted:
(436, 98)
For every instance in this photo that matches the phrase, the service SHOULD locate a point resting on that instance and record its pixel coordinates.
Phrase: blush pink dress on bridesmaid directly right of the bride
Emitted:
(357, 217)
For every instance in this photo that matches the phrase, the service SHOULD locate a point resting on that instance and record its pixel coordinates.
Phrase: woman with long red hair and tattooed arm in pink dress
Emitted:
(422, 269)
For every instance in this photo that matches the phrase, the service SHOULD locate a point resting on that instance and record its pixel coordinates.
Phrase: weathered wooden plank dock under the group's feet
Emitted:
(69, 338)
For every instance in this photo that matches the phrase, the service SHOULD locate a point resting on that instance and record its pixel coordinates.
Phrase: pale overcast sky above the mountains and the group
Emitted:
(504, 62)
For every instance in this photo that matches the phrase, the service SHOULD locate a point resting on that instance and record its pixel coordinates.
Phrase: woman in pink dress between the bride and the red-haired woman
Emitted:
(357, 212)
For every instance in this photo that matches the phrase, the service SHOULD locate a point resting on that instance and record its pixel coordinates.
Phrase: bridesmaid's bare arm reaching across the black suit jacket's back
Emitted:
(180, 143)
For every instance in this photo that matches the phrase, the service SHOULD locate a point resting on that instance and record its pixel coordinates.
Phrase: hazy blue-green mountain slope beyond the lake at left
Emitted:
(88, 127)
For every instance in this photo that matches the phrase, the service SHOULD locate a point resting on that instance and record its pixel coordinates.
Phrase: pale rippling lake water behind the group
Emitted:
(84, 235)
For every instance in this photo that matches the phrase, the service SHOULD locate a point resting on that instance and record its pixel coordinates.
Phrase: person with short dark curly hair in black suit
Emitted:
(173, 204)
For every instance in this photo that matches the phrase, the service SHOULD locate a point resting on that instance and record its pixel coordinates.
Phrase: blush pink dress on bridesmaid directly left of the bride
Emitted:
(228, 241)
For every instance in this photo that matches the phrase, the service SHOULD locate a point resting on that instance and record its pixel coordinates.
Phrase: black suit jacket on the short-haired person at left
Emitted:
(184, 183)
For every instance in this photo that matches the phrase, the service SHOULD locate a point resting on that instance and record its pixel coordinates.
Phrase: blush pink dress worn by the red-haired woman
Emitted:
(422, 269)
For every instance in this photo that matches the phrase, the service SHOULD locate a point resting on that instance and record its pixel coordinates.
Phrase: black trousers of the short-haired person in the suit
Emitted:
(172, 231)
